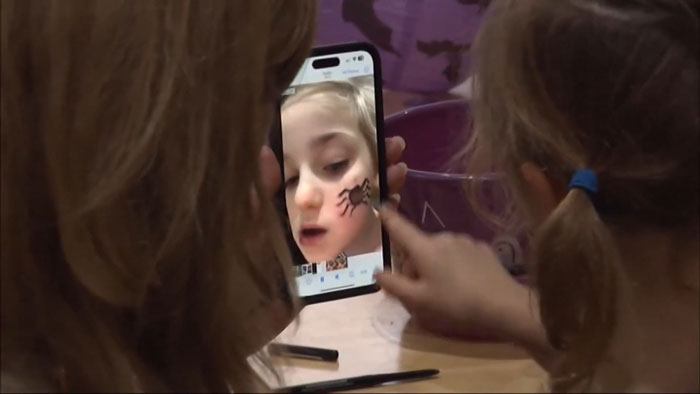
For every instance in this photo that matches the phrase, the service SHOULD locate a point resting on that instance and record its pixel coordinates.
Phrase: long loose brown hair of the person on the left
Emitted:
(130, 132)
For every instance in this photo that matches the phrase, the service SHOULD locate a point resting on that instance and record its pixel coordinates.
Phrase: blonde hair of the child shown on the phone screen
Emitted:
(356, 94)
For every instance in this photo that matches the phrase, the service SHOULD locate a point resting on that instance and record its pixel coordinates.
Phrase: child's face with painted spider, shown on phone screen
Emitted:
(325, 156)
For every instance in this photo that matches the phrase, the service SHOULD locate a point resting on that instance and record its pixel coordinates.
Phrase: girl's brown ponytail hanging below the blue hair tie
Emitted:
(579, 315)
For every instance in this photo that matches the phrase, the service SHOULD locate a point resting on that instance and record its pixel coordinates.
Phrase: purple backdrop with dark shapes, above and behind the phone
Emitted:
(424, 44)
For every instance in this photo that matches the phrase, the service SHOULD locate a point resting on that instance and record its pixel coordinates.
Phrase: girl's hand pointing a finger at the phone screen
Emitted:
(456, 284)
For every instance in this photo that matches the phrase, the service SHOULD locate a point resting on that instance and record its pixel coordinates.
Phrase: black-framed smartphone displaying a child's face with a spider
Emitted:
(329, 141)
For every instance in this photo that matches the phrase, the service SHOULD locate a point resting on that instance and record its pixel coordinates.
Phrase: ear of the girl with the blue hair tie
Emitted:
(542, 194)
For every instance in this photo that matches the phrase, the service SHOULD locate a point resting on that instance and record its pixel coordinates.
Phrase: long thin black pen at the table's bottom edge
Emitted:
(359, 382)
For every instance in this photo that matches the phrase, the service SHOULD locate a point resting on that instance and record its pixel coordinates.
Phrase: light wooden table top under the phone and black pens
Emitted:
(374, 334)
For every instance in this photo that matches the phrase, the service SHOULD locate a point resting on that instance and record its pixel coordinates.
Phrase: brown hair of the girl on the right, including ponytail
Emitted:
(600, 84)
